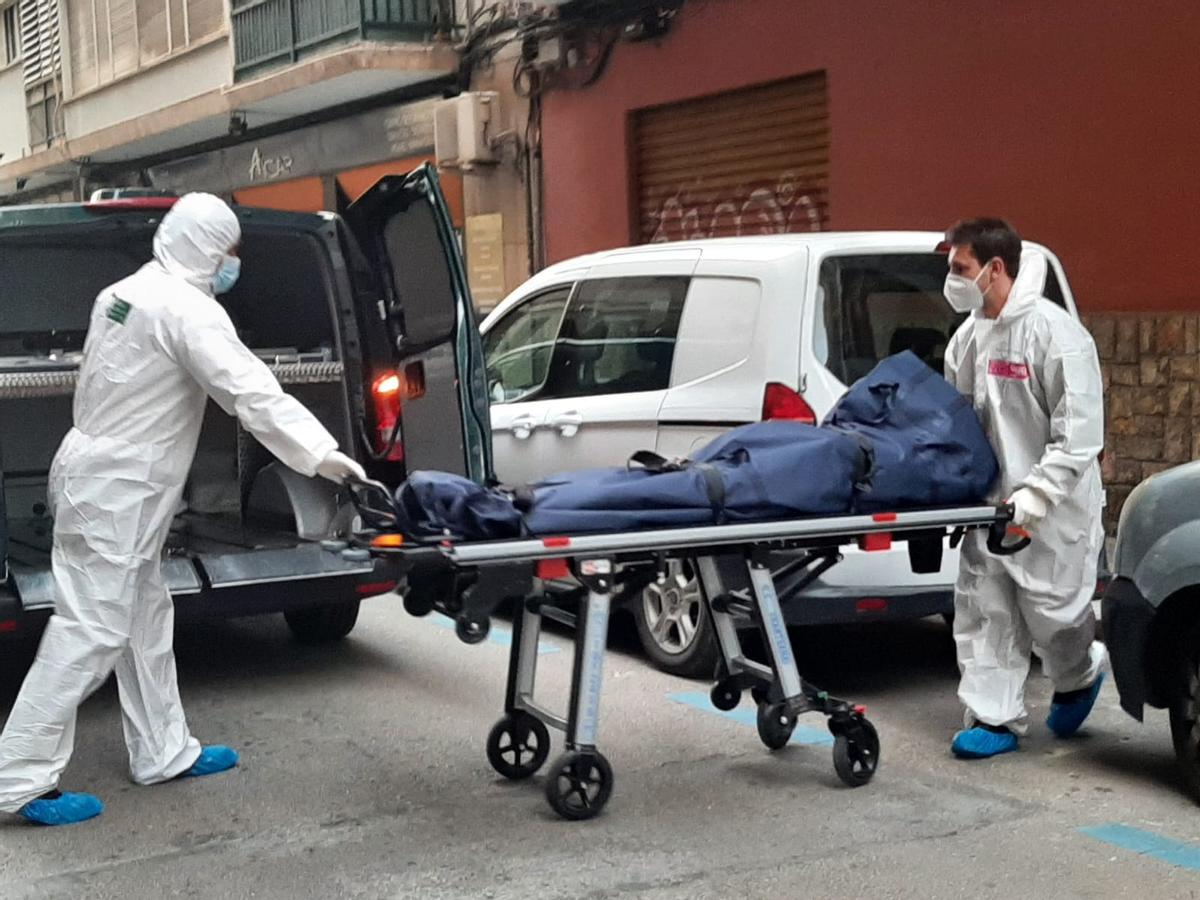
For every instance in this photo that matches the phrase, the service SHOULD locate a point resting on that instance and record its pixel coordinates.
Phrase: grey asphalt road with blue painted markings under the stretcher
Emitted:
(364, 777)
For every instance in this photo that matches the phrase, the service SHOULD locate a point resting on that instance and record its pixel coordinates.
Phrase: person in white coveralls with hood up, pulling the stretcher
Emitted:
(158, 347)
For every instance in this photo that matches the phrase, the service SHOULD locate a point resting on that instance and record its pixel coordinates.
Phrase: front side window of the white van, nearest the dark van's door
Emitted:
(518, 350)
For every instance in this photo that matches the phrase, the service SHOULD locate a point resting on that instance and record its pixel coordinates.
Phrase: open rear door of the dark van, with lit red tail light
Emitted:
(423, 353)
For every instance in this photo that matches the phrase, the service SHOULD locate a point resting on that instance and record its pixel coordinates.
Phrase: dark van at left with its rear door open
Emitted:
(367, 319)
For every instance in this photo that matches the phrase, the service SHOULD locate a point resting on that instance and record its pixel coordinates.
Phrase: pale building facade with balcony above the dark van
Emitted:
(316, 97)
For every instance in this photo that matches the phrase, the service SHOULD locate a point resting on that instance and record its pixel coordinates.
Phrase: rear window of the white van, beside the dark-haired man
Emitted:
(875, 307)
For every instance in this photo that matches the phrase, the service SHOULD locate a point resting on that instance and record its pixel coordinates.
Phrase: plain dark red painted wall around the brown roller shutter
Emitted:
(1075, 119)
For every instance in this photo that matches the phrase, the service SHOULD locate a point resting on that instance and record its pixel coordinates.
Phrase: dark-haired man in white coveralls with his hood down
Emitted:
(1035, 377)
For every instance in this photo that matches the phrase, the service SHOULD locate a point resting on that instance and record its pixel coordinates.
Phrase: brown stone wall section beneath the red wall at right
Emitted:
(1153, 398)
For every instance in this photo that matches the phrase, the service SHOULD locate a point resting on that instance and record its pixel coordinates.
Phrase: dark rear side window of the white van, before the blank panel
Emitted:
(619, 337)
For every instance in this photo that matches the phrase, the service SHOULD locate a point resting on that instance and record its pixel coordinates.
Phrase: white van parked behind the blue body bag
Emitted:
(667, 346)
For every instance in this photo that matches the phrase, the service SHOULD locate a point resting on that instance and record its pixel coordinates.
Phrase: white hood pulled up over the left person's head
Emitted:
(194, 237)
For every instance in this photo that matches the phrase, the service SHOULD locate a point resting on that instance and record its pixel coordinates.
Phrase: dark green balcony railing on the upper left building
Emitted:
(274, 33)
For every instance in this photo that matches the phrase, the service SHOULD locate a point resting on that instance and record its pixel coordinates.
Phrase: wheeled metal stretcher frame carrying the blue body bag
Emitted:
(734, 565)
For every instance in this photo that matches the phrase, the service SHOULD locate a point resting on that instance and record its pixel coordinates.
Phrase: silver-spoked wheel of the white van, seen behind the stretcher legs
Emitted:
(675, 627)
